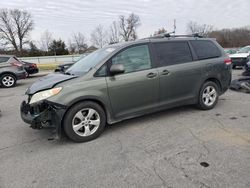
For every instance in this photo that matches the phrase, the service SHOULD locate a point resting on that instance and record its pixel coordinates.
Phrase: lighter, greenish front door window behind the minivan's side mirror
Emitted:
(134, 59)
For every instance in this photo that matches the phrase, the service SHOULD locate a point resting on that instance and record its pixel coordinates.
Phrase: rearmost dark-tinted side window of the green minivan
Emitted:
(205, 49)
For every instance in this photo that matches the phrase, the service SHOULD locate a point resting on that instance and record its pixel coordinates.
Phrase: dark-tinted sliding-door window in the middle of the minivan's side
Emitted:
(170, 53)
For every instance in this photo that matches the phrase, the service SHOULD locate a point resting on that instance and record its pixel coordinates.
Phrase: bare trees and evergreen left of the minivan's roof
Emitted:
(17, 25)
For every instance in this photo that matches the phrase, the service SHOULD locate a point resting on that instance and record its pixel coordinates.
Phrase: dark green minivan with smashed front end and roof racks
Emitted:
(127, 80)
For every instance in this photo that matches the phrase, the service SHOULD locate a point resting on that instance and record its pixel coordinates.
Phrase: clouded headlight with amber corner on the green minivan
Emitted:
(44, 94)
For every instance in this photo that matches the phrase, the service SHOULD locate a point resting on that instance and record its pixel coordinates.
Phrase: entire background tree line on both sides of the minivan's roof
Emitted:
(16, 26)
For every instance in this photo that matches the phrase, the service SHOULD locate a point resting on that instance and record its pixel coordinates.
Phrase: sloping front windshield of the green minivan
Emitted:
(85, 64)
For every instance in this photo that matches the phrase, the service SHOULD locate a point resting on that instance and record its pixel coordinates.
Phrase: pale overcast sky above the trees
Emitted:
(63, 17)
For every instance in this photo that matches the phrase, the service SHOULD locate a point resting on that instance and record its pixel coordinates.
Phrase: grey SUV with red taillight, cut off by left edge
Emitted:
(11, 70)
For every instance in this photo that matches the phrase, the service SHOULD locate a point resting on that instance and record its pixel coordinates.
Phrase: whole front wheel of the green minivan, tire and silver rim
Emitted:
(85, 121)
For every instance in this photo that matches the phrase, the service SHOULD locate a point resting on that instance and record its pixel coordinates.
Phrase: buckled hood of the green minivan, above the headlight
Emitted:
(48, 82)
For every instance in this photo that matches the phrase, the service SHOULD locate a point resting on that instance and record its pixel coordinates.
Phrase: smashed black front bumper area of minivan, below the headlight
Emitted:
(45, 114)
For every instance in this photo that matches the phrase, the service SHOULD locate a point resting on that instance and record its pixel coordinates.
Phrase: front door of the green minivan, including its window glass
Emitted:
(135, 91)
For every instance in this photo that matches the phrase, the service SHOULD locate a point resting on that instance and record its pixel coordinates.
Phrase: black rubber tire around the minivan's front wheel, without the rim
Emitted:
(69, 117)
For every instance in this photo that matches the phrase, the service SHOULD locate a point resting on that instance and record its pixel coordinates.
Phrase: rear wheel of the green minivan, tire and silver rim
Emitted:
(208, 96)
